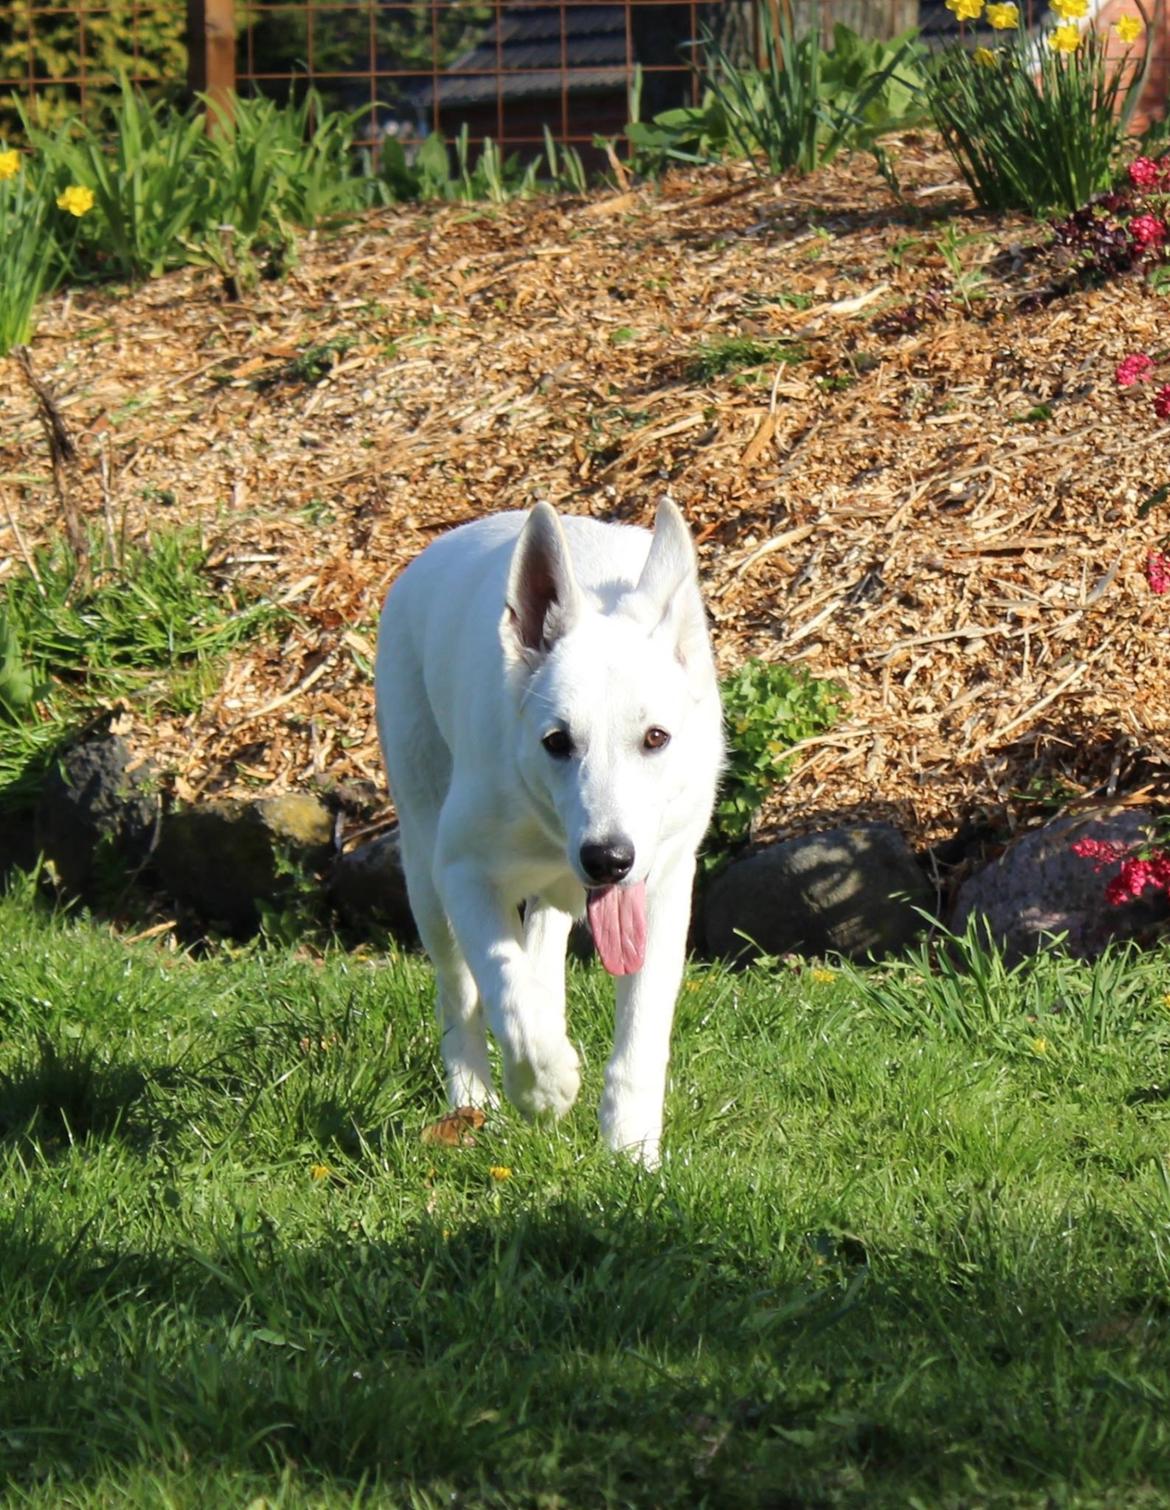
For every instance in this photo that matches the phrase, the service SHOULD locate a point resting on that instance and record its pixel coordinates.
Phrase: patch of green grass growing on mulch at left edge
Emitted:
(153, 627)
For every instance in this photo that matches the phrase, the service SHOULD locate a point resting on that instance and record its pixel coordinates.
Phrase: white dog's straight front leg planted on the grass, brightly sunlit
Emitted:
(632, 1105)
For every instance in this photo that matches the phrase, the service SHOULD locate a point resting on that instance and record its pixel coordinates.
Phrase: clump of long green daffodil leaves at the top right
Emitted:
(1035, 134)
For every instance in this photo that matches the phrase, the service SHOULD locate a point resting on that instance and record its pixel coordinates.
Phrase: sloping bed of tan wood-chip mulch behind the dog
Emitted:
(938, 501)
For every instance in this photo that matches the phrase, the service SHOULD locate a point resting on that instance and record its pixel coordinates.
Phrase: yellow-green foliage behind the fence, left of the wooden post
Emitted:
(141, 39)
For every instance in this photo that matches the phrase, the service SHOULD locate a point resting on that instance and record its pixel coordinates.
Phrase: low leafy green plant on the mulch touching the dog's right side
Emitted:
(768, 710)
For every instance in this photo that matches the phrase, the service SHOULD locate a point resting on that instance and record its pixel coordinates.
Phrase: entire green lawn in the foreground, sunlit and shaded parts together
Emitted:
(888, 1262)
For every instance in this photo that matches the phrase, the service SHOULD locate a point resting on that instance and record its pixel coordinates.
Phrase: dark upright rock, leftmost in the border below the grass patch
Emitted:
(99, 804)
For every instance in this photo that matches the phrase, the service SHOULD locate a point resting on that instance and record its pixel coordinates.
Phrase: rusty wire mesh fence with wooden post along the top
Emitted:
(502, 69)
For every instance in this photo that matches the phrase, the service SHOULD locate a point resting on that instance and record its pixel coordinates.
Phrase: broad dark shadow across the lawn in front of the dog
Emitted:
(568, 1357)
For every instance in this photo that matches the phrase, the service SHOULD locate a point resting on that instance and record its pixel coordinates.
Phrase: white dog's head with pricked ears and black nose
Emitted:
(618, 724)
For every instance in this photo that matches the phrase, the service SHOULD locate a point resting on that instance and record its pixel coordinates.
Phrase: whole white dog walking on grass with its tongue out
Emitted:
(552, 729)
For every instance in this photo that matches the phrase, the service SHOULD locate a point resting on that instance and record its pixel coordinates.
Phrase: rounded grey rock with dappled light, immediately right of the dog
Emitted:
(846, 892)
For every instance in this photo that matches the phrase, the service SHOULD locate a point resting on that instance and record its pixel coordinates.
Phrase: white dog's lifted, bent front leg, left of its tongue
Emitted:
(525, 1012)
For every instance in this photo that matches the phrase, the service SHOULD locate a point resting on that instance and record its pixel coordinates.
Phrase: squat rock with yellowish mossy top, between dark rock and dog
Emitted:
(226, 858)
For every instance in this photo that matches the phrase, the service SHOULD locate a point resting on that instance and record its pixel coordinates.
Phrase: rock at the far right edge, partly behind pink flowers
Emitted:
(1038, 887)
